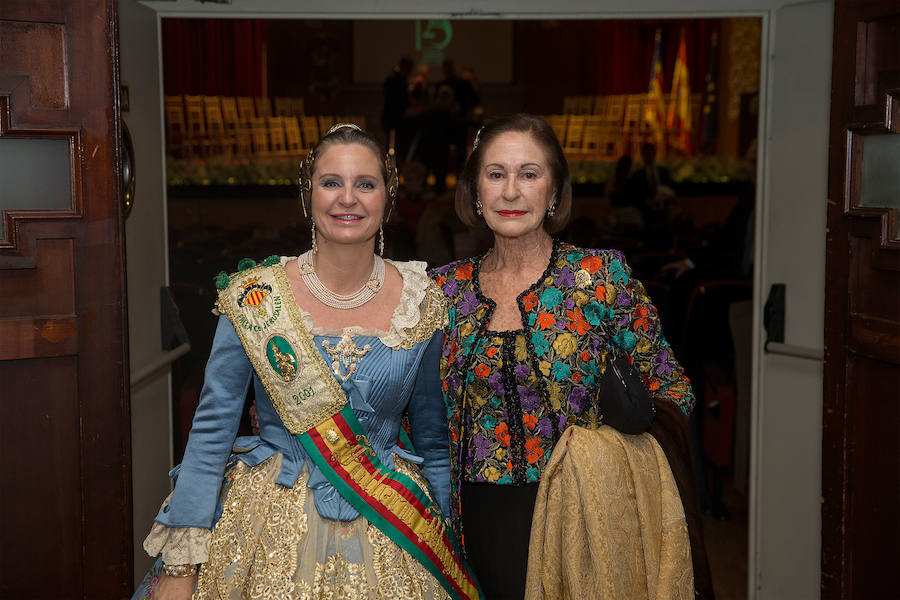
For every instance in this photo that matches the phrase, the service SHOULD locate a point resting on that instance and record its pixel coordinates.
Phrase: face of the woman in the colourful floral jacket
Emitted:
(515, 185)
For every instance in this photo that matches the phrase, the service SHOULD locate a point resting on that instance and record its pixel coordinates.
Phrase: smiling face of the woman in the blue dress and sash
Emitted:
(348, 194)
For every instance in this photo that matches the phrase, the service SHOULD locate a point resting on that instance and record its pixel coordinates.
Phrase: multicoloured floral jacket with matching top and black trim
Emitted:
(511, 394)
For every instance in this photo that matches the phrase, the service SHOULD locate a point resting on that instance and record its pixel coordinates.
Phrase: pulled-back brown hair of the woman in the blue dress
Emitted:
(348, 134)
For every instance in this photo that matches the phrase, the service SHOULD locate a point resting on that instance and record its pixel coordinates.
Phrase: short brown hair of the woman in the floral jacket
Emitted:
(467, 188)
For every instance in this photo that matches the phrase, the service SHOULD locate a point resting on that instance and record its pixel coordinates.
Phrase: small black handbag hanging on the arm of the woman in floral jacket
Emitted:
(624, 400)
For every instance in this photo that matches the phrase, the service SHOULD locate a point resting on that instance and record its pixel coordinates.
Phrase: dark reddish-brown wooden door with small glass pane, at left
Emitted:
(65, 506)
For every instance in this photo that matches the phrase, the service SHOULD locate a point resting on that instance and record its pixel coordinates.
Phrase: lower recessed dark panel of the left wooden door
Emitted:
(40, 469)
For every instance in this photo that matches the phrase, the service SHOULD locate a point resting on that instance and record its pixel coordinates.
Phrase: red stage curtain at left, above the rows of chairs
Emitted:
(212, 57)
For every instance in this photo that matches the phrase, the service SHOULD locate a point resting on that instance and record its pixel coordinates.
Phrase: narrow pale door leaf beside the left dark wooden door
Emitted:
(147, 270)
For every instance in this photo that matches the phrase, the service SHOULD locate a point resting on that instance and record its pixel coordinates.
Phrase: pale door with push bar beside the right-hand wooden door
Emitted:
(788, 444)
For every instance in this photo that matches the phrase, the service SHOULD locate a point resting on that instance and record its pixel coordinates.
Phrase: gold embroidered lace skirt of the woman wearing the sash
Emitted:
(271, 543)
